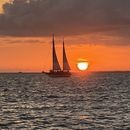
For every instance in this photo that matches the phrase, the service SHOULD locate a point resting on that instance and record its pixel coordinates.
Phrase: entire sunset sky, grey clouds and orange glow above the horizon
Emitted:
(95, 30)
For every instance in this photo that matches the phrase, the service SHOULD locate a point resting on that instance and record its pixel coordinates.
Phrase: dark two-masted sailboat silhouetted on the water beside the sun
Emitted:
(56, 70)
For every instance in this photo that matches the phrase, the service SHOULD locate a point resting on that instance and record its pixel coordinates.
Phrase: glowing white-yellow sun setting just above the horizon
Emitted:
(82, 65)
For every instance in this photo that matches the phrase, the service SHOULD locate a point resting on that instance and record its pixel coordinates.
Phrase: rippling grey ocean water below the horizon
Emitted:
(92, 101)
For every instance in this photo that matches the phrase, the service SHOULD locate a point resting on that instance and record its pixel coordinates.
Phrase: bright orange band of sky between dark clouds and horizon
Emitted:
(18, 56)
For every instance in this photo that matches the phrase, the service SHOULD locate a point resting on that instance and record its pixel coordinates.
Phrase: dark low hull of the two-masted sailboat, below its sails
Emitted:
(59, 74)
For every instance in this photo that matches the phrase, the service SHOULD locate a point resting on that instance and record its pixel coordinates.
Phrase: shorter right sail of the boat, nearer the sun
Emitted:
(66, 66)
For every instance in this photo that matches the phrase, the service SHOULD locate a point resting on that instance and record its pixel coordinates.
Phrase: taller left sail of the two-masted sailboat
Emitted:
(56, 66)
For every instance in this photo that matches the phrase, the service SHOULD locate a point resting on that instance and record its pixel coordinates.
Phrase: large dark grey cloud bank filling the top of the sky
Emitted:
(66, 17)
